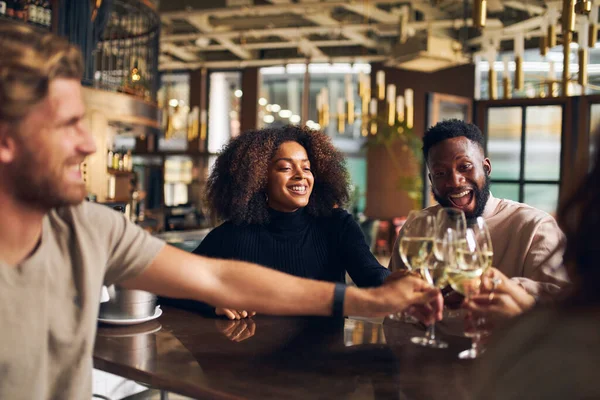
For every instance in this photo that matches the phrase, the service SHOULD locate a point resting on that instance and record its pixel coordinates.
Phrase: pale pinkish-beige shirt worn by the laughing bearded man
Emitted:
(528, 245)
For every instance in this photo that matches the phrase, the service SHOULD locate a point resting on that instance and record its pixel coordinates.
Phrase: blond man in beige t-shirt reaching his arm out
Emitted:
(56, 251)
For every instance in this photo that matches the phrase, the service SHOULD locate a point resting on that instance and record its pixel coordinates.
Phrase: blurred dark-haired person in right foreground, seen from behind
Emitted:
(554, 352)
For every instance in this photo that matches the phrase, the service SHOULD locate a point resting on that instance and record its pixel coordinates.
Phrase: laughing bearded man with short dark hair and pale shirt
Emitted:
(528, 244)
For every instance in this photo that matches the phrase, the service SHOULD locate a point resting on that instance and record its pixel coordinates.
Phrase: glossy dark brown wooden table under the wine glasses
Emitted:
(283, 358)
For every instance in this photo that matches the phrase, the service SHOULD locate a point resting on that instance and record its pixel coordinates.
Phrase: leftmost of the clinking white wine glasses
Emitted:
(416, 241)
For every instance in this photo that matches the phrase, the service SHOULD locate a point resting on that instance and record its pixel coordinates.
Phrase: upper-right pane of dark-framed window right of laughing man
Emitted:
(542, 142)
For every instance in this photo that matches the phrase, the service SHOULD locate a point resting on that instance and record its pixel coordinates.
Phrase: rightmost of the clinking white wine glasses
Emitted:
(465, 278)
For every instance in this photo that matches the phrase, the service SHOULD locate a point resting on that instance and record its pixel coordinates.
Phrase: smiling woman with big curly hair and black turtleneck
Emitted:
(279, 193)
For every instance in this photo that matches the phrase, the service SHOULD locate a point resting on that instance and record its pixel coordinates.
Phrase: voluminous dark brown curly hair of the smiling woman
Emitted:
(236, 187)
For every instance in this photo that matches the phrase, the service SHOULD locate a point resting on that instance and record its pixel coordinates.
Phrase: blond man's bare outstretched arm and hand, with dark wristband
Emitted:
(239, 285)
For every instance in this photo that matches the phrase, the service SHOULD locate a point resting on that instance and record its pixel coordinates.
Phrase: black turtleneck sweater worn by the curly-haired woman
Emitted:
(322, 248)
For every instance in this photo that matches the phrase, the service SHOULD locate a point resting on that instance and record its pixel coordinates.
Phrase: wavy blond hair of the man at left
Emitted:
(29, 61)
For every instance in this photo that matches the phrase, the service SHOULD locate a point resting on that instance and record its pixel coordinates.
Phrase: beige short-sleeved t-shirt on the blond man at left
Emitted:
(49, 303)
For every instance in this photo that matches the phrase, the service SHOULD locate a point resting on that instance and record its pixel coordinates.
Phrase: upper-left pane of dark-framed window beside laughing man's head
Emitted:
(504, 141)
